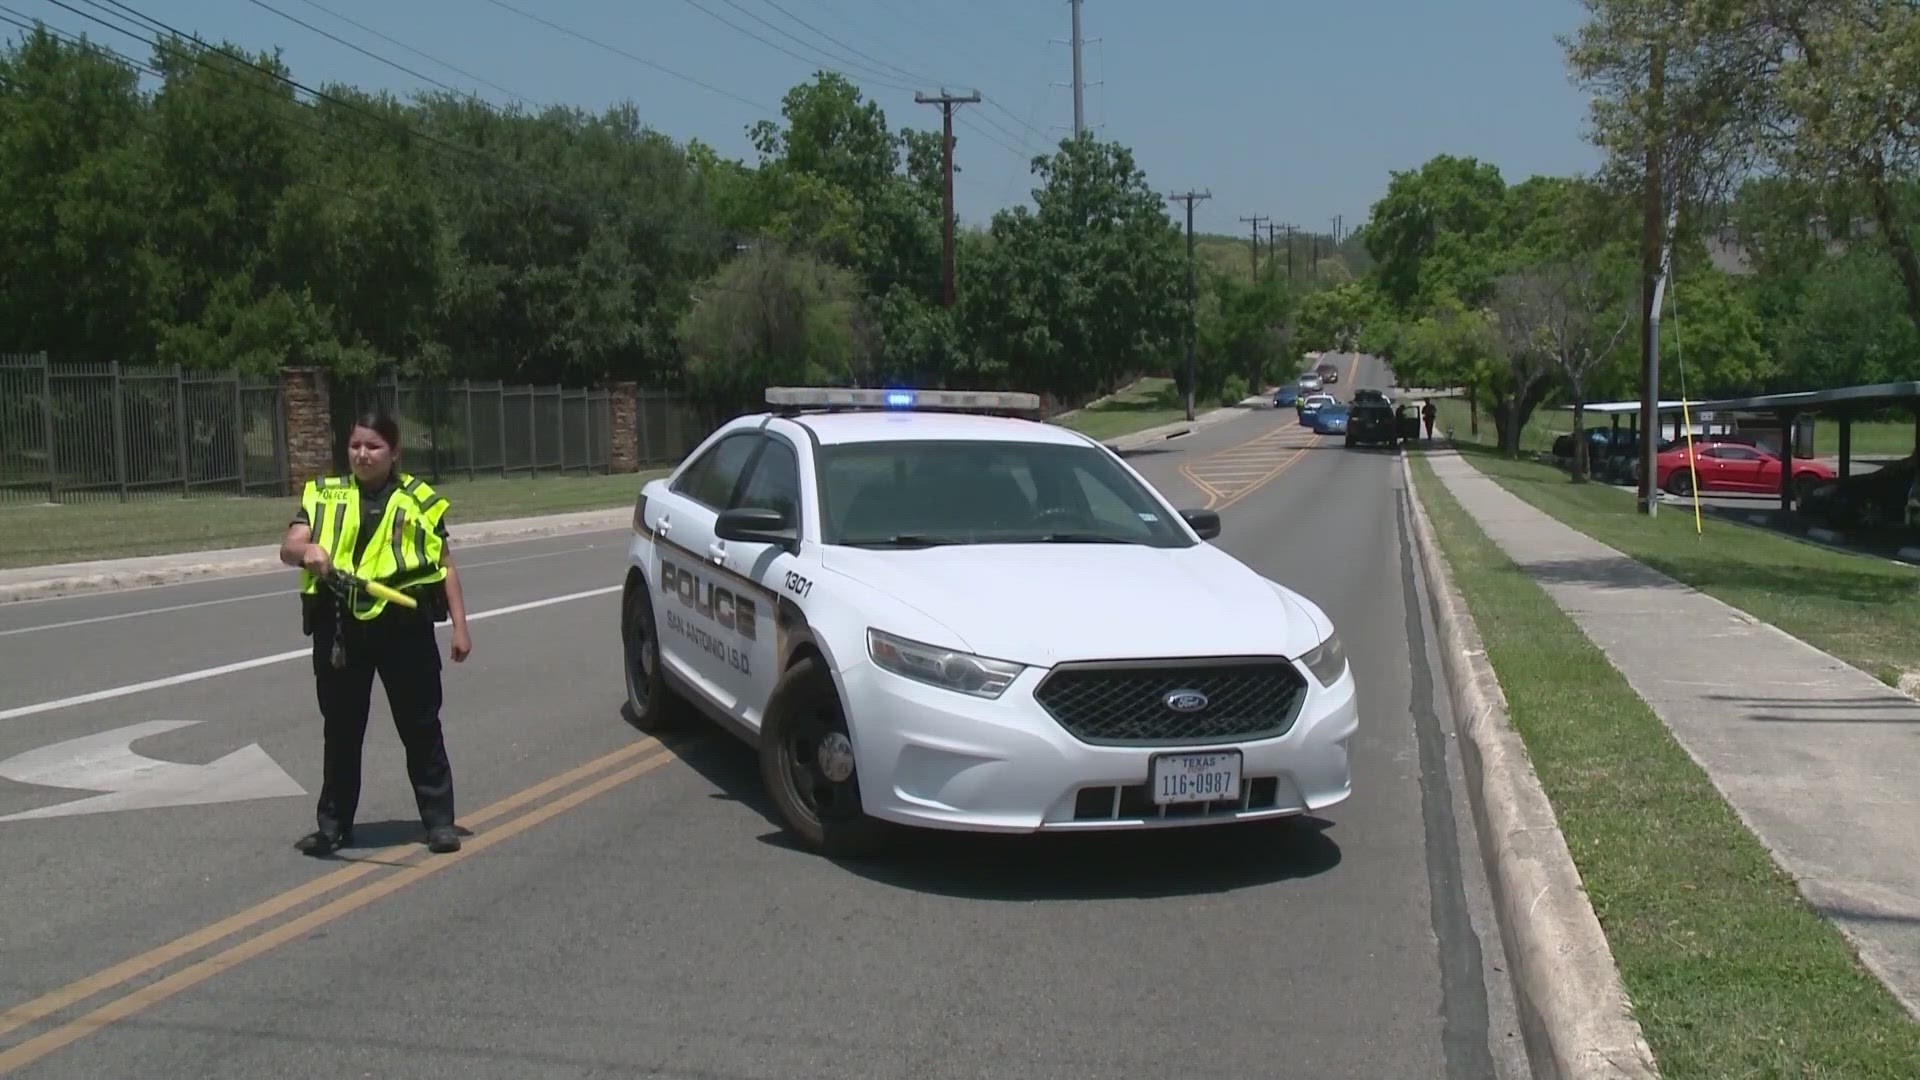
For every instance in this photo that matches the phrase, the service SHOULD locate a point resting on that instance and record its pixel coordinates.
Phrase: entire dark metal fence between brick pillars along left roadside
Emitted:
(112, 431)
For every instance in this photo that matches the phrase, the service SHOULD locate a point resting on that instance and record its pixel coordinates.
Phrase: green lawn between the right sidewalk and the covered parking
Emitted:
(1860, 608)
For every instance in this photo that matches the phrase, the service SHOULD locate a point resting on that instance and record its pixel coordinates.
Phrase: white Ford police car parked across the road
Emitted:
(924, 614)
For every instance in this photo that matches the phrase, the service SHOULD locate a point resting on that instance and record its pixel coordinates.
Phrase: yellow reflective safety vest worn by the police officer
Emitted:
(404, 551)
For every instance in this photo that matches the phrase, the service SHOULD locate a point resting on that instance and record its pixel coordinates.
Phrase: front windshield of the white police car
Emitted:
(909, 495)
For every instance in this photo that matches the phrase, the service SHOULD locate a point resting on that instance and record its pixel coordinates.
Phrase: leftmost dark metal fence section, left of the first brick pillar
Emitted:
(110, 431)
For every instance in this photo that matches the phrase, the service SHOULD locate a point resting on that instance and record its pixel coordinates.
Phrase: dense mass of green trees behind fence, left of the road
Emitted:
(226, 222)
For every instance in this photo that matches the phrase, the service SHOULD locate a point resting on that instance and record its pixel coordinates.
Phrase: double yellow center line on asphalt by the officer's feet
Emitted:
(629, 762)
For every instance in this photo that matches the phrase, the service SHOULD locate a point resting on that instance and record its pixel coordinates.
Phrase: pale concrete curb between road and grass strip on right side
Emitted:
(1564, 970)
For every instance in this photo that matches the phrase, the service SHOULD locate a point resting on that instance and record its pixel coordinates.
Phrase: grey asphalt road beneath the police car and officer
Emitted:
(627, 902)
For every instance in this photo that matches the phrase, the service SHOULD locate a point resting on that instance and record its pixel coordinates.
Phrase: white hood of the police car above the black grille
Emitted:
(1045, 604)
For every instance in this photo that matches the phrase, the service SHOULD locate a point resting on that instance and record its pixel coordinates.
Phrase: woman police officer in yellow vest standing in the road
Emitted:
(389, 528)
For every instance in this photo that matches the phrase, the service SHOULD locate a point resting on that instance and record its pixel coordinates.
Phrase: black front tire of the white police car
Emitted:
(825, 812)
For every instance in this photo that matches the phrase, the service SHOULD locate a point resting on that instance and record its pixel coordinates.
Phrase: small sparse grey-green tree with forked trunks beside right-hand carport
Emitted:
(1573, 318)
